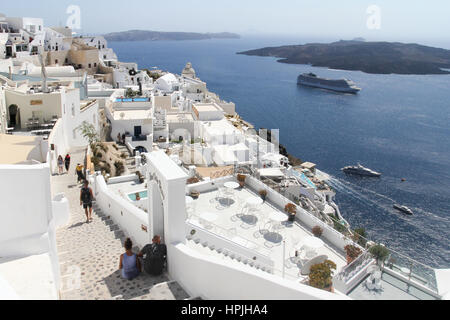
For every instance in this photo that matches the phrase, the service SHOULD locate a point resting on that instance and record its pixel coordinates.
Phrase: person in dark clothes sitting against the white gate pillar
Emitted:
(154, 255)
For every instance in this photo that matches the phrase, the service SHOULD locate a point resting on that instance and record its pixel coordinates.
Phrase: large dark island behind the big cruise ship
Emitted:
(369, 57)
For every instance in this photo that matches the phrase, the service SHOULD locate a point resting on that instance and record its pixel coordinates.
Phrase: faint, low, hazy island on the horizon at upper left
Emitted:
(142, 35)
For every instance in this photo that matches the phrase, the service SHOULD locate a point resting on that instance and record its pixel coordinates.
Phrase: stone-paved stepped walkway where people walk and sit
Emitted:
(89, 254)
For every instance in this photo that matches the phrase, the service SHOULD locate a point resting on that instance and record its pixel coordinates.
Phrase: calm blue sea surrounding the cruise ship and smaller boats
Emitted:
(397, 125)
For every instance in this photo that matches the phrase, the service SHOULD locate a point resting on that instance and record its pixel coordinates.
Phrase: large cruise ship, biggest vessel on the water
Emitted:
(339, 85)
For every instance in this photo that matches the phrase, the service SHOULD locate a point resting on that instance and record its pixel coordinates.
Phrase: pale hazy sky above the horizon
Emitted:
(402, 20)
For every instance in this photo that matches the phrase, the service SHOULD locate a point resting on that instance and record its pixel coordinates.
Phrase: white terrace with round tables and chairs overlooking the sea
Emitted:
(237, 222)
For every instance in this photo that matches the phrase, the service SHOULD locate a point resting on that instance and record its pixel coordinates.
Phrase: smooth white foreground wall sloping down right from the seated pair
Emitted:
(210, 278)
